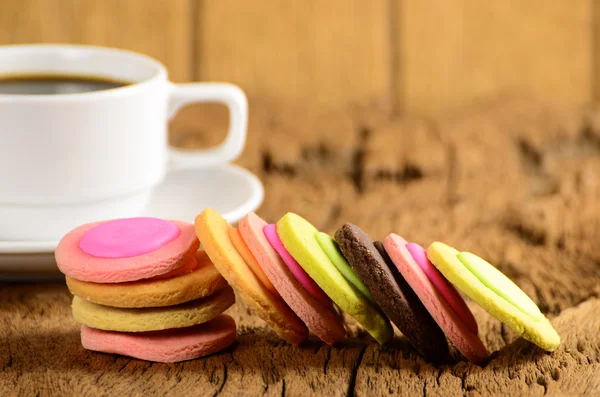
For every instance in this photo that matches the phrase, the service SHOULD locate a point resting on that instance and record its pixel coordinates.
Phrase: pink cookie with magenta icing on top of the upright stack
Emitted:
(153, 259)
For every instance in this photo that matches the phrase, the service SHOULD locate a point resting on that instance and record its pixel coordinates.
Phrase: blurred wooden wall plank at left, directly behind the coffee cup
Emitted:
(161, 29)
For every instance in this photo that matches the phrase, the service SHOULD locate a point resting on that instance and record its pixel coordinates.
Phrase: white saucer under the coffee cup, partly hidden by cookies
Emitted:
(230, 190)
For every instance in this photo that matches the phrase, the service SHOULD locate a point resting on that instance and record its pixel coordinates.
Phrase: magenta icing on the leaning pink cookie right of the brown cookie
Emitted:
(444, 287)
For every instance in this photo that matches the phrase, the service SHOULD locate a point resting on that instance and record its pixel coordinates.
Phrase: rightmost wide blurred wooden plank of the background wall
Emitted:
(454, 53)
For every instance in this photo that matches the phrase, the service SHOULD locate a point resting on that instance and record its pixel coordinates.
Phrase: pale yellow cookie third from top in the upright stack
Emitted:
(152, 318)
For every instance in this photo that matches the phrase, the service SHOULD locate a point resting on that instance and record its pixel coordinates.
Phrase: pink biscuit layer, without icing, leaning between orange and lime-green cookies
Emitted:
(321, 320)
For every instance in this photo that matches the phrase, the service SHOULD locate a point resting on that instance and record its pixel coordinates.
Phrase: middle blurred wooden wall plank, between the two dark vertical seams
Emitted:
(324, 53)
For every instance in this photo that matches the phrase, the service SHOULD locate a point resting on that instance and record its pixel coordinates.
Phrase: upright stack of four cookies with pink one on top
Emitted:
(143, 289)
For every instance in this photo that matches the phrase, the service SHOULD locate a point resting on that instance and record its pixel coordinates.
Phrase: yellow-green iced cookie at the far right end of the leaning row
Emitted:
(482, 284)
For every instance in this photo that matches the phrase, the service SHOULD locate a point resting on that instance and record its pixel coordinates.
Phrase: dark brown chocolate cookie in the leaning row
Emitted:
(392, 293)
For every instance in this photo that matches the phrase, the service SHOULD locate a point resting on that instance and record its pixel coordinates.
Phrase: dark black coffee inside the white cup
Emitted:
(54, 84)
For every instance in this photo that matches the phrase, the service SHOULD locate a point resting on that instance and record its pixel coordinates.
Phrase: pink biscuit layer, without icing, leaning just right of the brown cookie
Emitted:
(459, 333)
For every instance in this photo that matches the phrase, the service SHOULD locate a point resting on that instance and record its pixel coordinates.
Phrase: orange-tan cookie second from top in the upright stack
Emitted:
(202, 281)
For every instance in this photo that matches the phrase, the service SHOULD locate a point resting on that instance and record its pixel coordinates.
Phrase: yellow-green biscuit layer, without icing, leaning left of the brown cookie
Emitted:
(298, 237)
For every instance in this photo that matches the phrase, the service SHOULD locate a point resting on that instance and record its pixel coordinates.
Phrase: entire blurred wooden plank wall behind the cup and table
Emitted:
(424, 57)
